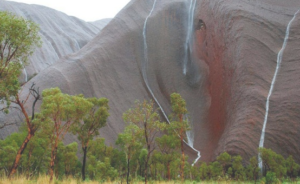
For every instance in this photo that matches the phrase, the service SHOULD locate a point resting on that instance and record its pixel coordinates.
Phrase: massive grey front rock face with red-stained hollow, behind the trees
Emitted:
(227, 81)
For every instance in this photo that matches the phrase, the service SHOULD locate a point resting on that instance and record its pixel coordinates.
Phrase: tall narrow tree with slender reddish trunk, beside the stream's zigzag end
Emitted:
(179, 124)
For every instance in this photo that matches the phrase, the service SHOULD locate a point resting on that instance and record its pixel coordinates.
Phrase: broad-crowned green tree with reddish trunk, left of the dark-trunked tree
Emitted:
(60, 111)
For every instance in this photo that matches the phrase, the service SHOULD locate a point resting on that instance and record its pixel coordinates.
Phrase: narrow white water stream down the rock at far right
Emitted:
(279, 60)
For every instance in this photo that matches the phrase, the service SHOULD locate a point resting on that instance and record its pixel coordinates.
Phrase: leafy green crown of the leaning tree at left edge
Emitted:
(18, 39)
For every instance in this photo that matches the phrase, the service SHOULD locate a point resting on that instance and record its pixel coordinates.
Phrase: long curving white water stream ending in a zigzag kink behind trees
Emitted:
(144, 73)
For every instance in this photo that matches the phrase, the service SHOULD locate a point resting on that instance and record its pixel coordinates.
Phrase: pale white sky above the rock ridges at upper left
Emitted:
(88, 10)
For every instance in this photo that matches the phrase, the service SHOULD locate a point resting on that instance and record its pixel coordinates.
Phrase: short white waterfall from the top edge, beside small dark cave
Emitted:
(190, 32)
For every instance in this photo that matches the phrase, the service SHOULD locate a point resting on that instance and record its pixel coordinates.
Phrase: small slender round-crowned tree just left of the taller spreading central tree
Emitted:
(130, 143)
